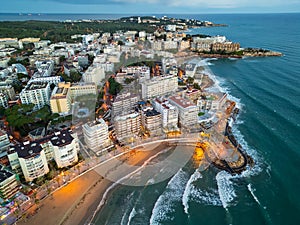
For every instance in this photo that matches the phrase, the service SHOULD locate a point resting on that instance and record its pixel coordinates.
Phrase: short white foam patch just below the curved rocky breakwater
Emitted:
(225, 188)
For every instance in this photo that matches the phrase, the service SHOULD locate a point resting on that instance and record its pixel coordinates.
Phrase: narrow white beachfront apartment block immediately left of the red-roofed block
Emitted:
(168, 112)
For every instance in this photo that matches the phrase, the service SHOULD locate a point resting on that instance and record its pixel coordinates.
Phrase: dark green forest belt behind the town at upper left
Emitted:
(62, 31)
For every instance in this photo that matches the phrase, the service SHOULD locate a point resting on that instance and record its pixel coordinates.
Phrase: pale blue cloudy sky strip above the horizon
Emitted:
(149, 6)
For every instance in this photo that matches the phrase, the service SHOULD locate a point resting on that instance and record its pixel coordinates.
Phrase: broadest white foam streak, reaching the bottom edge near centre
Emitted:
(173, 193)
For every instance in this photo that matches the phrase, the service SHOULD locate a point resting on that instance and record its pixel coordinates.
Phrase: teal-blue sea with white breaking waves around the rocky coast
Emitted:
(268, 127)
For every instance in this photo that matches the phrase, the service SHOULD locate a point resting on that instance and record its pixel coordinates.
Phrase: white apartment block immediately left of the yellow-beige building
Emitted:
(37, 94)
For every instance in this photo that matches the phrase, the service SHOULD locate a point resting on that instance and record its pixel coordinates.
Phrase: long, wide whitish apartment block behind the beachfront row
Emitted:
(159, 86)
